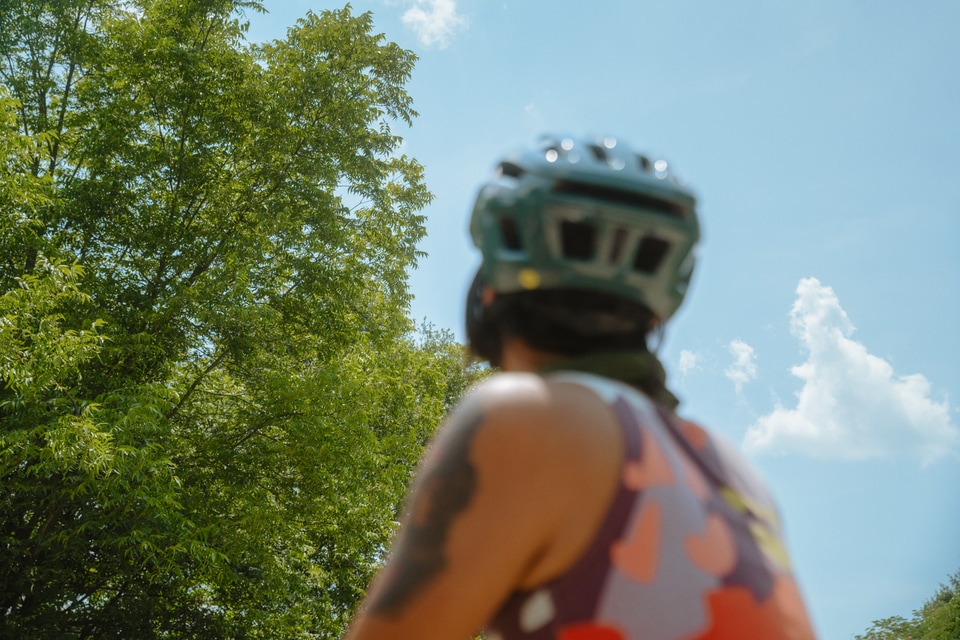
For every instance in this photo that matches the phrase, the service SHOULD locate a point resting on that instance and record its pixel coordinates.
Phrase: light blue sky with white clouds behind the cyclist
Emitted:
(823, 140)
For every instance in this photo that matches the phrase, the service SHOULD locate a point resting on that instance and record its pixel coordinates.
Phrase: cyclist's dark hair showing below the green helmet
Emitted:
(567, 322)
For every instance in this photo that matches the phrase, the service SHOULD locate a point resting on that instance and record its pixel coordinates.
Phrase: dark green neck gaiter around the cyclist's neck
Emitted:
(640, 369)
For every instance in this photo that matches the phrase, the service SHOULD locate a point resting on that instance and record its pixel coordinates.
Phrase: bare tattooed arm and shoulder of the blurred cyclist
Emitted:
(485, 512)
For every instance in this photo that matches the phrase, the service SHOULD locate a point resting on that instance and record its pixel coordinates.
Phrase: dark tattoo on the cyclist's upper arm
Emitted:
(443, 493)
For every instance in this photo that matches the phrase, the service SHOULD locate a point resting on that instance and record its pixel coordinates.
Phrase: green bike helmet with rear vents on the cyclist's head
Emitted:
(590, 215)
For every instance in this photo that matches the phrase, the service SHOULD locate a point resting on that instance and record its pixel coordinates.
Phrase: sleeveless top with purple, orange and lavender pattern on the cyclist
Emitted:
(690, 549)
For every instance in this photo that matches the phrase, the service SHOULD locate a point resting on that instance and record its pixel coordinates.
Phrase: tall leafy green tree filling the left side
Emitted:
(213, 396)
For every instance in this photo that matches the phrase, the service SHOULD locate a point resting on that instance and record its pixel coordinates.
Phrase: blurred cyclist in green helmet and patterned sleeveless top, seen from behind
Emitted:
(563, 497)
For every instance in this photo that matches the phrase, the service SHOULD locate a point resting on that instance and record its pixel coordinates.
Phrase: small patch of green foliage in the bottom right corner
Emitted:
(937, 619)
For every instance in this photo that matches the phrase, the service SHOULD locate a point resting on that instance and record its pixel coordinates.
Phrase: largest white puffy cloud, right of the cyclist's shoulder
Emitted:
(852, 404)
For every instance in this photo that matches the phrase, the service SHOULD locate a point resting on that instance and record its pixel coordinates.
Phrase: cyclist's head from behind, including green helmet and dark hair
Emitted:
(587, 246)
